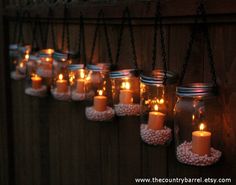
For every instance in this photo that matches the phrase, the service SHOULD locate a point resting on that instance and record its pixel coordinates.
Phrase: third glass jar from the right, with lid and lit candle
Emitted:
(126, 92)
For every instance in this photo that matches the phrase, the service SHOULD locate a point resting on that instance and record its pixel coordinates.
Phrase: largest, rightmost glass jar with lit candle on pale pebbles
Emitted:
(197, 125)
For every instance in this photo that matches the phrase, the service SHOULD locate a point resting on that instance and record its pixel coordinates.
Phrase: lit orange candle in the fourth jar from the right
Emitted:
(100, 102)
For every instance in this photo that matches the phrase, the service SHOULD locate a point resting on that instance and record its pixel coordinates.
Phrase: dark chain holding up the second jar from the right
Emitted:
(158, 17)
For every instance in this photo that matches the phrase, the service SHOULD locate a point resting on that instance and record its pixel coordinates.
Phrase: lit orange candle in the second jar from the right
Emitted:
(156, 119)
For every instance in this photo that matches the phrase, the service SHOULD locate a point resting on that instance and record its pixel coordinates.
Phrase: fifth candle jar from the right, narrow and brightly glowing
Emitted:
(77, 78)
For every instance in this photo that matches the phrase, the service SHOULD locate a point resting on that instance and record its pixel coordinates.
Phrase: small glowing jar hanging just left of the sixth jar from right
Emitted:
(44, 68)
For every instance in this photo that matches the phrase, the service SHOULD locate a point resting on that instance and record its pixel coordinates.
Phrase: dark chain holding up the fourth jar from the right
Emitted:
(101, 17)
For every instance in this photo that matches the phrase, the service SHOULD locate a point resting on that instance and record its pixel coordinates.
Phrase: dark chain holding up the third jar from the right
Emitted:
(127, 13)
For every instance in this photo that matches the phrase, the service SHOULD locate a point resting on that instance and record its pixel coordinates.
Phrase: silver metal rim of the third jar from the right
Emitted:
(124, 73)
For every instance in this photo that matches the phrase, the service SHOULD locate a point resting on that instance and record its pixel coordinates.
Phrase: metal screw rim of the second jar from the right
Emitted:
(156, 77)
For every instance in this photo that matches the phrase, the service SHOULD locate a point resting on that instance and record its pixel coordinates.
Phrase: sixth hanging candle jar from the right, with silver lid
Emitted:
(61, 87)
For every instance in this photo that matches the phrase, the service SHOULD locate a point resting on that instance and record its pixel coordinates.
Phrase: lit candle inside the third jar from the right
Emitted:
(126, 94)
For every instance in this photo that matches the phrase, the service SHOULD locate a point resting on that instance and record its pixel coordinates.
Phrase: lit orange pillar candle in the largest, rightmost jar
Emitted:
(201, 141)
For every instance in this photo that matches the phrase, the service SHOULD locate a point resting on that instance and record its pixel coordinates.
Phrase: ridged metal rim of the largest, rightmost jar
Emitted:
(196, 89)
